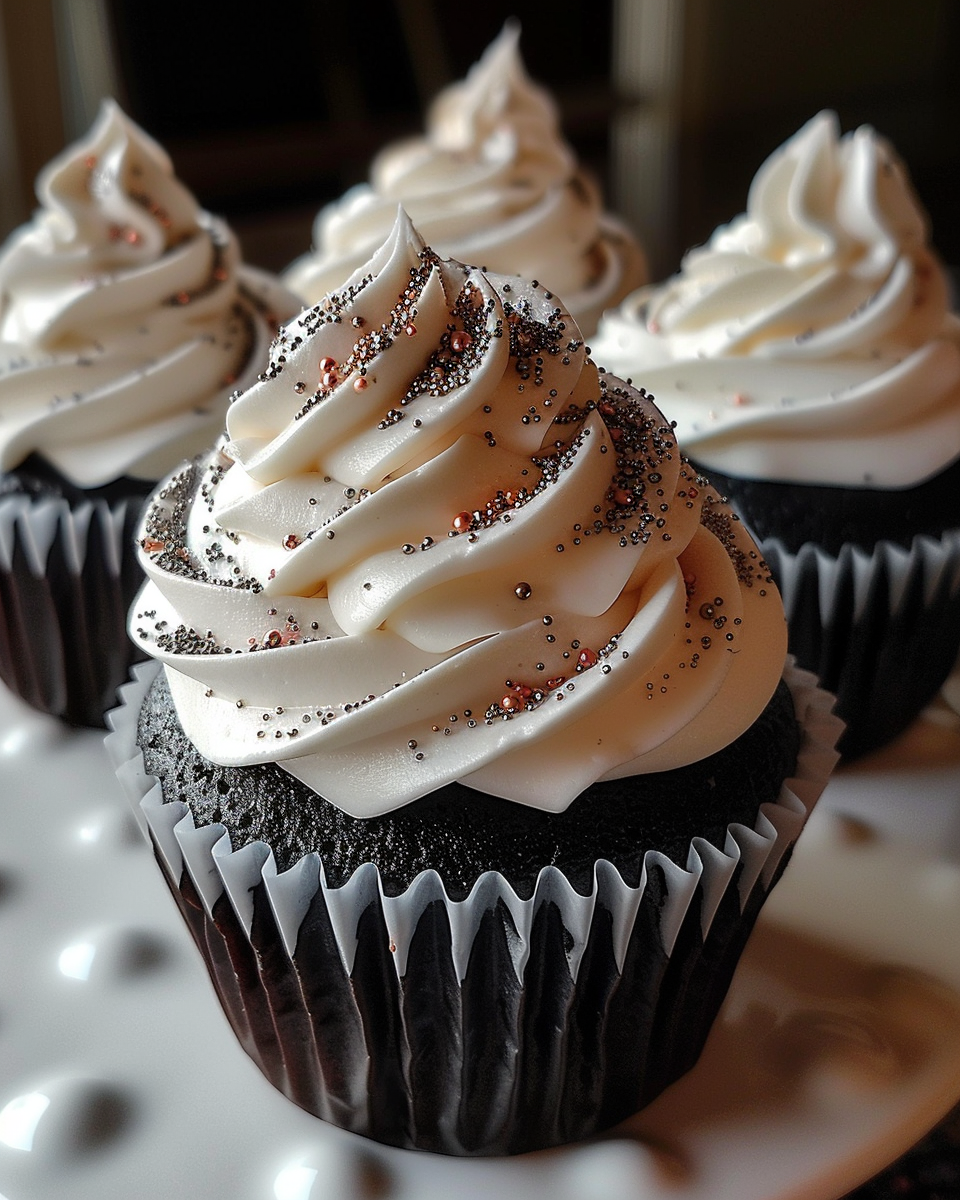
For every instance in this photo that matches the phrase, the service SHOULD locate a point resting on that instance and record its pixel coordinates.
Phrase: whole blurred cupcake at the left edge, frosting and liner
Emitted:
(127, 321)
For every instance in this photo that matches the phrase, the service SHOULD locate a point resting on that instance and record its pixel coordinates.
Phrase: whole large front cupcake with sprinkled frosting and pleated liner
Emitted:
(472, 757)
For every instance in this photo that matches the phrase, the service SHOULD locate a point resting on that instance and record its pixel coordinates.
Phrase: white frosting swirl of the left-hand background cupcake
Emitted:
(127, 319)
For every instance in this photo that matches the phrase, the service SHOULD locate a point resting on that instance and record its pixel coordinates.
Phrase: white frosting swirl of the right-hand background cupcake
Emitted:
(811, 339)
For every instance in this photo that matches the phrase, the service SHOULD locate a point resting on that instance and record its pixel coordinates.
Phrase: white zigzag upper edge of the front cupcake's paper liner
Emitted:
(217, 869)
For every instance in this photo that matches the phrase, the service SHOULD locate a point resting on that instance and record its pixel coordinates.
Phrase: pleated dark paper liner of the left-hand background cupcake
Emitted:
(68, 578)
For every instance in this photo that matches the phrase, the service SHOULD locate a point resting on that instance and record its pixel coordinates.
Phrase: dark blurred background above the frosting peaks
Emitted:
(271, 112)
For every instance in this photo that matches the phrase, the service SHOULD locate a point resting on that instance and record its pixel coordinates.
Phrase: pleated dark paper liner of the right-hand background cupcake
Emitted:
(881, 631)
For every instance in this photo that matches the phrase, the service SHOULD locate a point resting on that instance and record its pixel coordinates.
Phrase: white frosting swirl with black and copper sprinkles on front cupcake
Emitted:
(441, 545)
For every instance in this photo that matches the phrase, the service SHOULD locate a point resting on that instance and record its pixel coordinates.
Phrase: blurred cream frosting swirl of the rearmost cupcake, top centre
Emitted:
(491, 183)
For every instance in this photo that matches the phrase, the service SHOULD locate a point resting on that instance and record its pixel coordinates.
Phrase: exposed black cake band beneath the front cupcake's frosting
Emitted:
(460, 832)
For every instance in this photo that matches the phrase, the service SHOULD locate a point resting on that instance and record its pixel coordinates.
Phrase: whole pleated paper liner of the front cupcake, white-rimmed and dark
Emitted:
(485, 1027)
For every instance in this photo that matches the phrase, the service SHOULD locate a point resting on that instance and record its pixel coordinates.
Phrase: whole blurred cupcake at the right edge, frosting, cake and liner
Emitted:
(813, 367)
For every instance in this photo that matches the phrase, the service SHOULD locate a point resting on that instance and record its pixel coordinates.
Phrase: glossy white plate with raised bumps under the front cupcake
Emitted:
(839, 1045)
